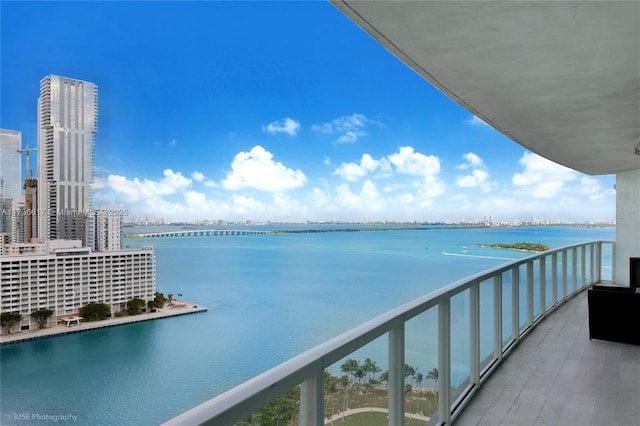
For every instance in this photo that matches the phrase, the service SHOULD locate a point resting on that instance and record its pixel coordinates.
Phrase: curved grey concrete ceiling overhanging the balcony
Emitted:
(560, 78)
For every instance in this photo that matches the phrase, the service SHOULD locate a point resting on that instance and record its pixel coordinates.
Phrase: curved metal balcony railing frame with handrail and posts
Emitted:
(307, 369)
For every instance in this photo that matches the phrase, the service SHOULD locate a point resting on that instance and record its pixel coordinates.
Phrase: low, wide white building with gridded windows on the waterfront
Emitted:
(68, 276)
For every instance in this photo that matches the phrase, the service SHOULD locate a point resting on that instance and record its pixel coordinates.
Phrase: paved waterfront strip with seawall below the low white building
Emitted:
(179, 307)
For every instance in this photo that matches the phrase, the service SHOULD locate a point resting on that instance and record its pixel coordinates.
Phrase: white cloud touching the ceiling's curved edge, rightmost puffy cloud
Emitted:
(542, 178)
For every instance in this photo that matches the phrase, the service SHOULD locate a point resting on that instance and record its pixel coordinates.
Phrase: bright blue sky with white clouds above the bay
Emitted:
(281, 111)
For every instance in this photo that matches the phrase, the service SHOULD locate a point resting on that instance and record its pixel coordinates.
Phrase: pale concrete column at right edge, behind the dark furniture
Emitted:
(627, 223)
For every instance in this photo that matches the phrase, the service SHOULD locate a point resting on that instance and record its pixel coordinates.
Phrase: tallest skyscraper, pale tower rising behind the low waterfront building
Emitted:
(67, 124)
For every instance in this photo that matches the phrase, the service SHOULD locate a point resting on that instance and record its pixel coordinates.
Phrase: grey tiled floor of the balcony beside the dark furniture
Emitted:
(557, 376)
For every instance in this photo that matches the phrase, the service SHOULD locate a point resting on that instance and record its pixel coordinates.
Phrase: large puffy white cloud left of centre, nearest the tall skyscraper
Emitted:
(257, 170)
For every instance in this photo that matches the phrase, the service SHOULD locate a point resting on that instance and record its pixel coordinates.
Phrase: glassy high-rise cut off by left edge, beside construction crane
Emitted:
(10, 175)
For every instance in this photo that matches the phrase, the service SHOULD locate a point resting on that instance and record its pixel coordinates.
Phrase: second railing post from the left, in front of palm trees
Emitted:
(396, 376)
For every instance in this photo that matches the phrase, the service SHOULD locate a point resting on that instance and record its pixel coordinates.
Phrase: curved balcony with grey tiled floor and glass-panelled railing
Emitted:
(522, 329)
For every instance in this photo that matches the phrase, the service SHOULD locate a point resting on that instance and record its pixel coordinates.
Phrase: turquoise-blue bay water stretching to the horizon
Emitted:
(269, 297)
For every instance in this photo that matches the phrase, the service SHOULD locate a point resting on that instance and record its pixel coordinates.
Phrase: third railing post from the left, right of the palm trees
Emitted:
(444, 361)
